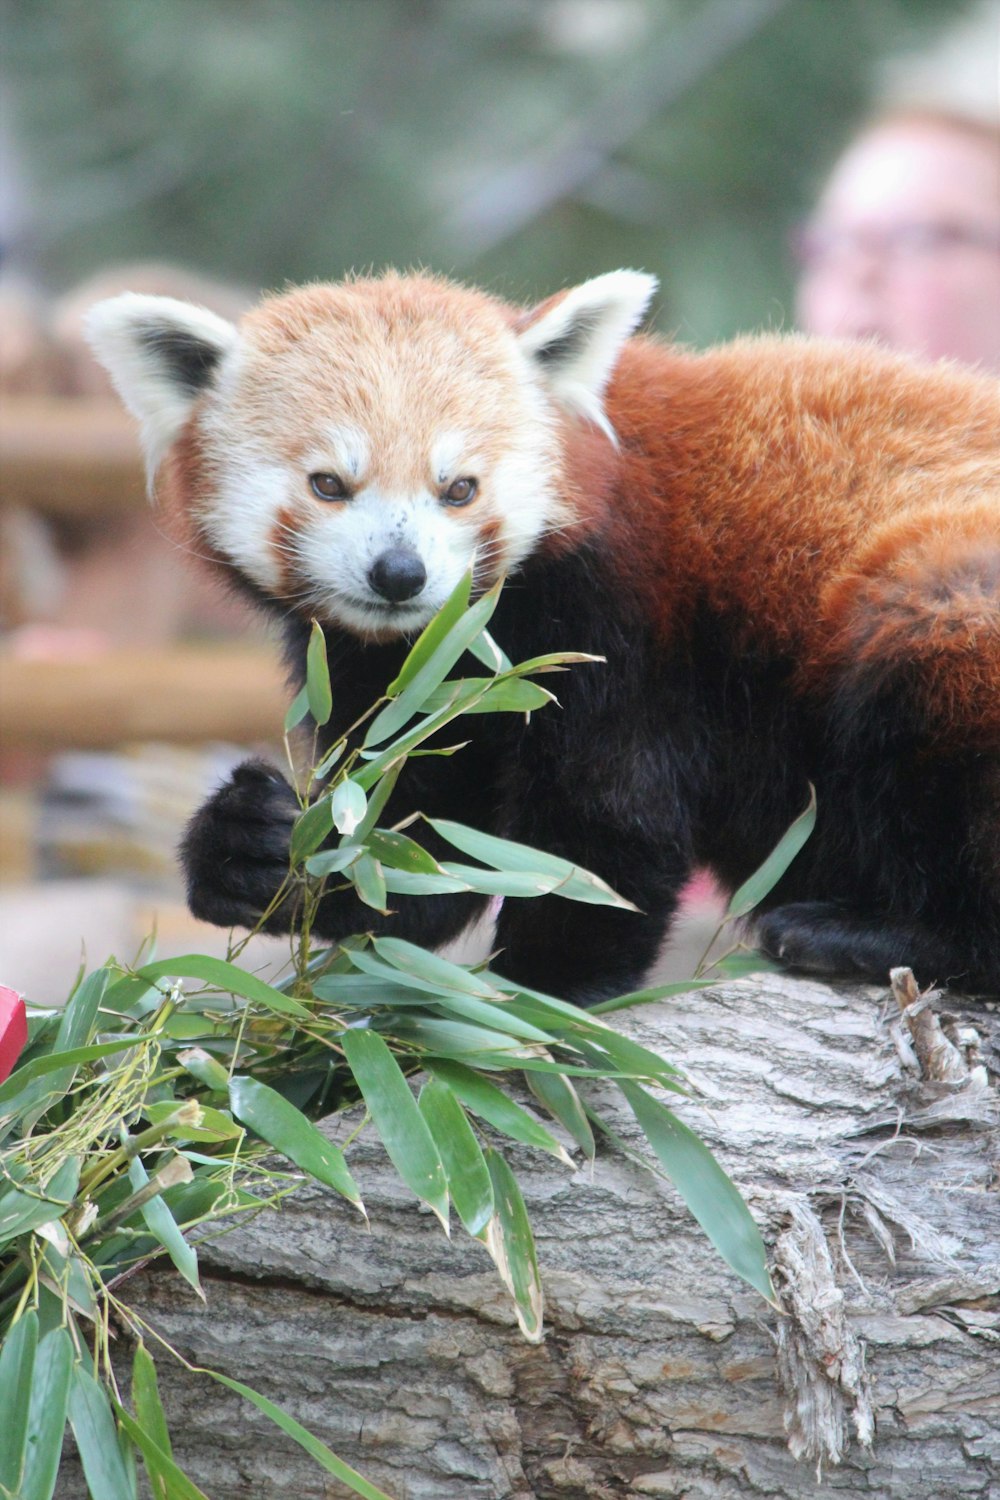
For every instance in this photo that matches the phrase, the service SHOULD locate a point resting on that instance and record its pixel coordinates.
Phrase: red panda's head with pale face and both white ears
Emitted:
(362, 445)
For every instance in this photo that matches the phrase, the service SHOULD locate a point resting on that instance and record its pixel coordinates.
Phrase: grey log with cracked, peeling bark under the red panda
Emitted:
(876, 1186)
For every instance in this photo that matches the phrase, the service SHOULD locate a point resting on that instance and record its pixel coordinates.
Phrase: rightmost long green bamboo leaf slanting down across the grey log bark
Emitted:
(707, 1190)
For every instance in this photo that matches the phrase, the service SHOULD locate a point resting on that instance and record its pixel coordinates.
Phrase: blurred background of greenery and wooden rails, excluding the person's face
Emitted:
(218, 151)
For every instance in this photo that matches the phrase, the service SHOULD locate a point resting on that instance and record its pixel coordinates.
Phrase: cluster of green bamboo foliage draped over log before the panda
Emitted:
(172, 1097)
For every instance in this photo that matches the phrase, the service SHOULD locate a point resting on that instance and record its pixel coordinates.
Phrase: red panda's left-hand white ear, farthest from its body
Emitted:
(161, 355)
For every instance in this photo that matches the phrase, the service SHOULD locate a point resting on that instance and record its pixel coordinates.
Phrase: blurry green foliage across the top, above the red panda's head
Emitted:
(299, 139)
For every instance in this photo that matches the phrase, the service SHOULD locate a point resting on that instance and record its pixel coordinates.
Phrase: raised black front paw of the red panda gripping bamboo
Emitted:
(236, 850)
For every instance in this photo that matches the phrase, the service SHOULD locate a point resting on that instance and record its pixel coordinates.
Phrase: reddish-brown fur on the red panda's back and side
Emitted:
(842, 503)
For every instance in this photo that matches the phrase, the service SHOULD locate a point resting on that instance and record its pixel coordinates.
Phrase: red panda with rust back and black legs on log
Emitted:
(788, 553)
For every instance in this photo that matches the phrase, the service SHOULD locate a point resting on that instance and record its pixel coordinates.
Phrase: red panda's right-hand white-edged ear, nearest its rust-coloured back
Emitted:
(575, 340)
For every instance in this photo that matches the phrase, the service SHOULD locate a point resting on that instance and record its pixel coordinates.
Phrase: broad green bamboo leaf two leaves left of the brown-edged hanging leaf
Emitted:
(400, 1123)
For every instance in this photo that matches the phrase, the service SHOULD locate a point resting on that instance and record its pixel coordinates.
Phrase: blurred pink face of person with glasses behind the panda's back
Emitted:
(905, 247)
